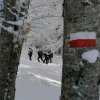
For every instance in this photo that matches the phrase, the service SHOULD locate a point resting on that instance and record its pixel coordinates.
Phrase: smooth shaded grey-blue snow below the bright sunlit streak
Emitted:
(31, 91)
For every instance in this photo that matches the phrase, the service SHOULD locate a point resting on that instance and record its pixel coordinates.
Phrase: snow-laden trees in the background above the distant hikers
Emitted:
(47, 24)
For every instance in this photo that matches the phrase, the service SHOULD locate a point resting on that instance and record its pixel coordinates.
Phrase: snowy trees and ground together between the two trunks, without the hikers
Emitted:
(40, 81)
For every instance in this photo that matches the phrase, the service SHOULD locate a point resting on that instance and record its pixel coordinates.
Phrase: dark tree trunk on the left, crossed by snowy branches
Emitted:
(9, 53)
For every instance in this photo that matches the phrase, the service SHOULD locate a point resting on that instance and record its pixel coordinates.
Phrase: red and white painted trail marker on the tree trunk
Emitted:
(82, 39)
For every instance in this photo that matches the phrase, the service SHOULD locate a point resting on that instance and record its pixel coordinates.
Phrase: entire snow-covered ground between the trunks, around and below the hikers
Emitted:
(38, 81)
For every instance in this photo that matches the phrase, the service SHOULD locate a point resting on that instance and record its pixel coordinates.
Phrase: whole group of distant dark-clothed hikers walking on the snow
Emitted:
(45, 57)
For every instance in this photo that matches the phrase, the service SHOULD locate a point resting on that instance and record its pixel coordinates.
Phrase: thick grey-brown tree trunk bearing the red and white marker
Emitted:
(80, 78)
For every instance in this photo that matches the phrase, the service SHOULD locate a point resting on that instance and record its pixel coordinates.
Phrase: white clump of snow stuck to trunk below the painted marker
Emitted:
(91, 55)
